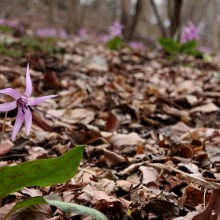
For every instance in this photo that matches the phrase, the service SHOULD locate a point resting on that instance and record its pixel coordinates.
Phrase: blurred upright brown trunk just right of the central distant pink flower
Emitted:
(125, 16)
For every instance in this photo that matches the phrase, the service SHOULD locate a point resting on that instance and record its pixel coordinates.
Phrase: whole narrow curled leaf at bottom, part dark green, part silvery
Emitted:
(64, 206)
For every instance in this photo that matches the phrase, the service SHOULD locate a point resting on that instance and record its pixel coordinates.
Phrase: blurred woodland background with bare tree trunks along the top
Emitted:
(142, 20)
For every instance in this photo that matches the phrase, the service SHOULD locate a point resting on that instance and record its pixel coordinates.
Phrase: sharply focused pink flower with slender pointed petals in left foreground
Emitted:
(23, 103)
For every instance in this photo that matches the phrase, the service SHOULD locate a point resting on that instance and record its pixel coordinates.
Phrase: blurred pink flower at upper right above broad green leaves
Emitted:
(190, 32)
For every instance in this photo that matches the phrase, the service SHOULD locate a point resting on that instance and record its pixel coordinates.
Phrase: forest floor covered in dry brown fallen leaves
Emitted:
(149, 123)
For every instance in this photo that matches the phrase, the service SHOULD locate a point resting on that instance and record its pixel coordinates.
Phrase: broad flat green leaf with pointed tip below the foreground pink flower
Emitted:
(43, 172)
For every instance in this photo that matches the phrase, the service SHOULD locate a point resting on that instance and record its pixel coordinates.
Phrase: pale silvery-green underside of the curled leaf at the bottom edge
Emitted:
(83, 210)
